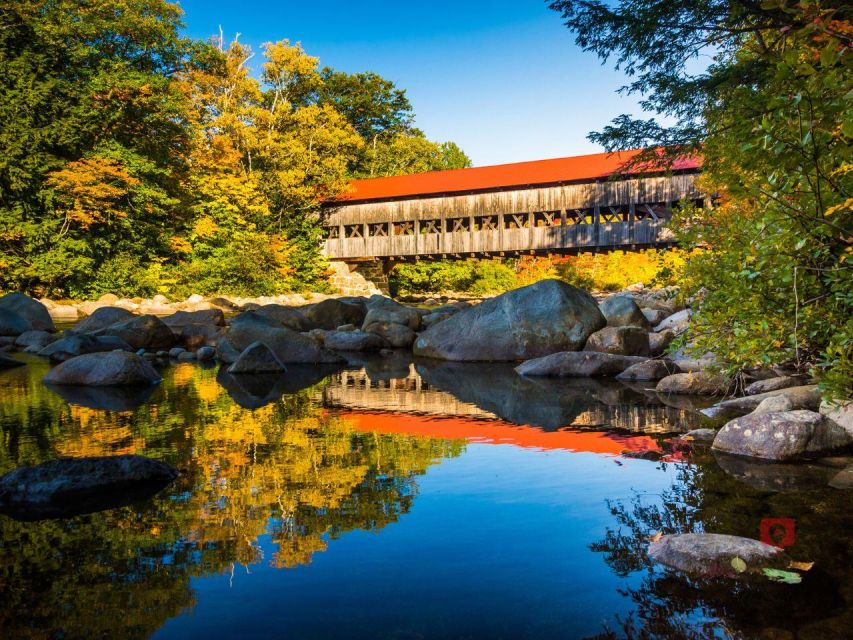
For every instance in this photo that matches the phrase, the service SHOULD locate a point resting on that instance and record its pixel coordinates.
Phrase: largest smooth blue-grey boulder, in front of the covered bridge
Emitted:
(547, 317)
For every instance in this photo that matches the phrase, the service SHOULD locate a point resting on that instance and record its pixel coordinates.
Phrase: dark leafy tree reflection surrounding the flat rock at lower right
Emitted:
(705, 497)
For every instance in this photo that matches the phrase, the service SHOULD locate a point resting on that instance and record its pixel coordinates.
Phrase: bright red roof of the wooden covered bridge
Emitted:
(502, 176)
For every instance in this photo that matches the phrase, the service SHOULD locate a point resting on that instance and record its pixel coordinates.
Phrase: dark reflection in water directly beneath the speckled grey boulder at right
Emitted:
(775, 477)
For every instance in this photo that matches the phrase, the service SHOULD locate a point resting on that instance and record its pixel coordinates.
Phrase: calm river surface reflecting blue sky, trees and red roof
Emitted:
(402, 500)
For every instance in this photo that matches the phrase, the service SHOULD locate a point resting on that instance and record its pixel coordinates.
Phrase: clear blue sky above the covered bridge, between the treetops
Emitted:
(502, 78)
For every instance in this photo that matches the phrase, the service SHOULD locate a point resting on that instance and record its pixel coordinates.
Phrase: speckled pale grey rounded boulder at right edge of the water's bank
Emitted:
(783, 436)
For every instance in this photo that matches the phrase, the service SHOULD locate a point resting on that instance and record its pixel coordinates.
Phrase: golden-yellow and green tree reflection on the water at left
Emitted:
(288, 469)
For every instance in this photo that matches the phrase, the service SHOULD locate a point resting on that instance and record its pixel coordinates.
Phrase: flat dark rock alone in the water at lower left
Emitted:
(73, 486)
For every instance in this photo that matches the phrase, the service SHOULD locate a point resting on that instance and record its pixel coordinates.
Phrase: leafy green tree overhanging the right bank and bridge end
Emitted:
(771, 115)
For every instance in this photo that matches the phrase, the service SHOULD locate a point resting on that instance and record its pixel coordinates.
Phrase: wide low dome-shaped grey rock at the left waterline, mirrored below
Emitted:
(111, 369)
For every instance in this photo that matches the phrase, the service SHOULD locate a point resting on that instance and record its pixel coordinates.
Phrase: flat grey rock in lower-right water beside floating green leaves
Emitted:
(710, 555)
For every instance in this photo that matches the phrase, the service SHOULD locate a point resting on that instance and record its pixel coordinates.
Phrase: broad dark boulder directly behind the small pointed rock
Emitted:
(290, 347)
